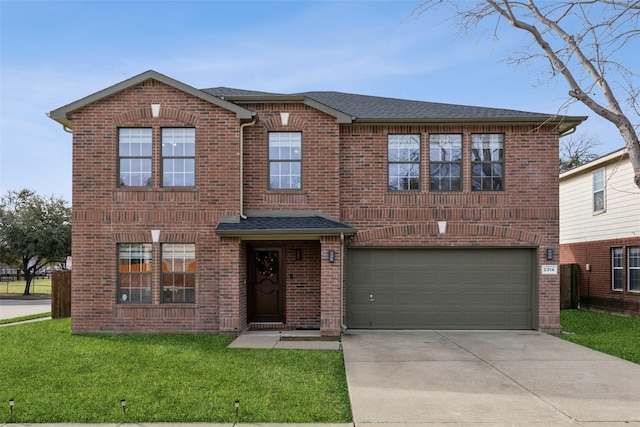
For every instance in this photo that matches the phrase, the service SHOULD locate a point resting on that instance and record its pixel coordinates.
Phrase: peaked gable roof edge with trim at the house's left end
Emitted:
(61, 115)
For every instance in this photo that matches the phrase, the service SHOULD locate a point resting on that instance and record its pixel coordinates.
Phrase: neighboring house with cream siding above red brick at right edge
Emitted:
(600, 231)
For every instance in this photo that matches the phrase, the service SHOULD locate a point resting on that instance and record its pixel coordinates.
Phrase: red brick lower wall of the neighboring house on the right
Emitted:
(596, 285)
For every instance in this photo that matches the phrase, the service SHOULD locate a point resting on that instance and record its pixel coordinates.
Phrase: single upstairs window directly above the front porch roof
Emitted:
(285, 160)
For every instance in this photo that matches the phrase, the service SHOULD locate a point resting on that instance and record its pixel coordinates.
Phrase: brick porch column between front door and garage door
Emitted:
(330, 324)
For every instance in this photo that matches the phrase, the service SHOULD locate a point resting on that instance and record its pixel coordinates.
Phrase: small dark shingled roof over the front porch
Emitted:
(282, 225)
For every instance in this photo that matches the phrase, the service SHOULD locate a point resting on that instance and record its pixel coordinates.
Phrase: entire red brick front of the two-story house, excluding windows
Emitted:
(344, 176)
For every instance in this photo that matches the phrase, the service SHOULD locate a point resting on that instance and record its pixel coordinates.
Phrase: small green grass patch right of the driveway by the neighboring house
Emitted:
(615, 335)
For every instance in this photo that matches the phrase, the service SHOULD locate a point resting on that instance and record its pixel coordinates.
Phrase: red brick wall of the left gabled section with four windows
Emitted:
(104, 215)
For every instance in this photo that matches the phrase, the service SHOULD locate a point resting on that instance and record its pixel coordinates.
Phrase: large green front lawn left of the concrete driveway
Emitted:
(57, 377)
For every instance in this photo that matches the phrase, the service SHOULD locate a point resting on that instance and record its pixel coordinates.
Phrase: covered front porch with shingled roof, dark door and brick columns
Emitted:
(282, 274)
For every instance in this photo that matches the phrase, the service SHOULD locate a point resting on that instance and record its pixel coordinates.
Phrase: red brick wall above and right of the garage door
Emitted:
(524, 214)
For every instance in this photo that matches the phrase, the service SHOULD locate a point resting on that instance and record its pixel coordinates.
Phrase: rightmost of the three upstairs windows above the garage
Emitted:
(487, 157)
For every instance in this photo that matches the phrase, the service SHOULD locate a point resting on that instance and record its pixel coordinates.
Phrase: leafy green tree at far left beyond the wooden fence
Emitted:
(35, 231)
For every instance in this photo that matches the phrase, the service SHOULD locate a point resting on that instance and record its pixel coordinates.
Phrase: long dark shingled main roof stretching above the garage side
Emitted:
(354, 108)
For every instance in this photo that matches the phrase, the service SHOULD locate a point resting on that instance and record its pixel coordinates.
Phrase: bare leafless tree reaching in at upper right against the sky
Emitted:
(580, 39)
